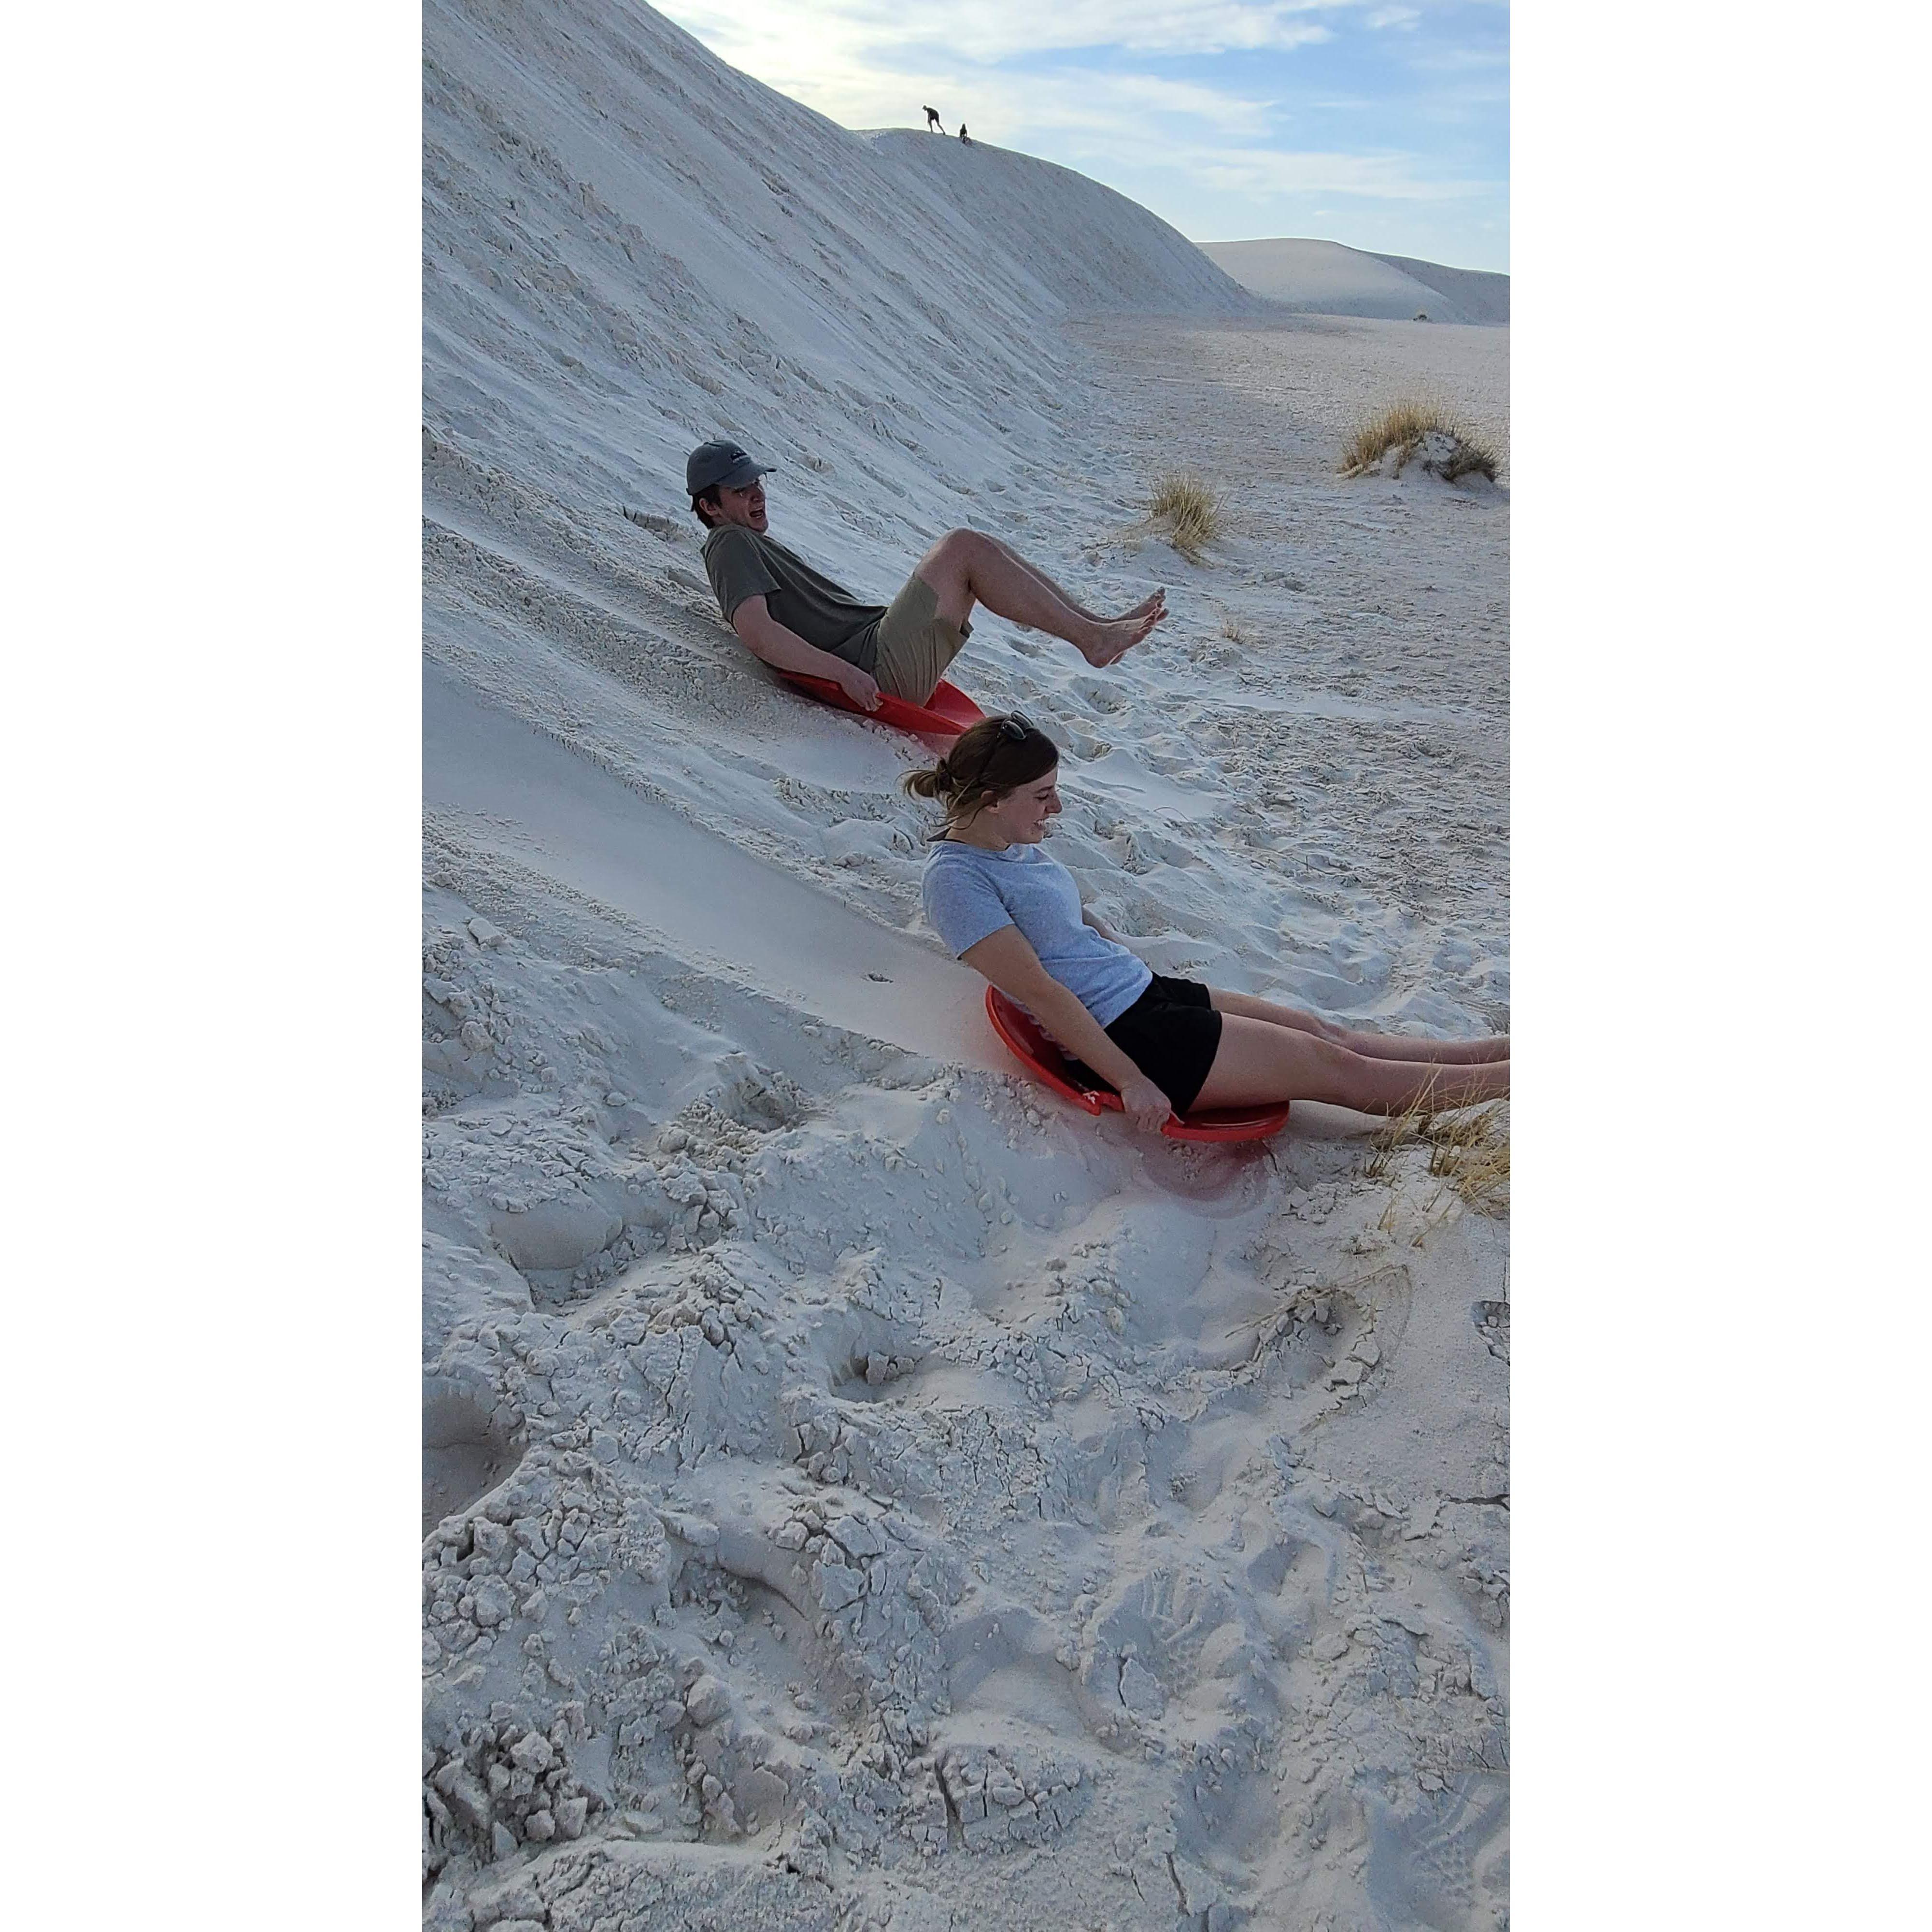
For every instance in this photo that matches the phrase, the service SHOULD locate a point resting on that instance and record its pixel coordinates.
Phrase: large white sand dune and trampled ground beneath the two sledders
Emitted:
(849, 1473)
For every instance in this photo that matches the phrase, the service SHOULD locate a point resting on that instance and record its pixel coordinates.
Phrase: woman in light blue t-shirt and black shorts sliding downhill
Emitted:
(1166, 1046)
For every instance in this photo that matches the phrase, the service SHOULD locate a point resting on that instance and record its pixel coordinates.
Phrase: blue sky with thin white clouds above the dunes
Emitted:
(1375, 123)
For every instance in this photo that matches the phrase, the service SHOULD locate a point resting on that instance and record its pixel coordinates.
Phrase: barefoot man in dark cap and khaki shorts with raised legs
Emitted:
(799, 621)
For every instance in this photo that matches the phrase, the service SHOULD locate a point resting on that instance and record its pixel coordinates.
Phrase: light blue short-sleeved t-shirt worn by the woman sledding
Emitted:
(971, 894)
